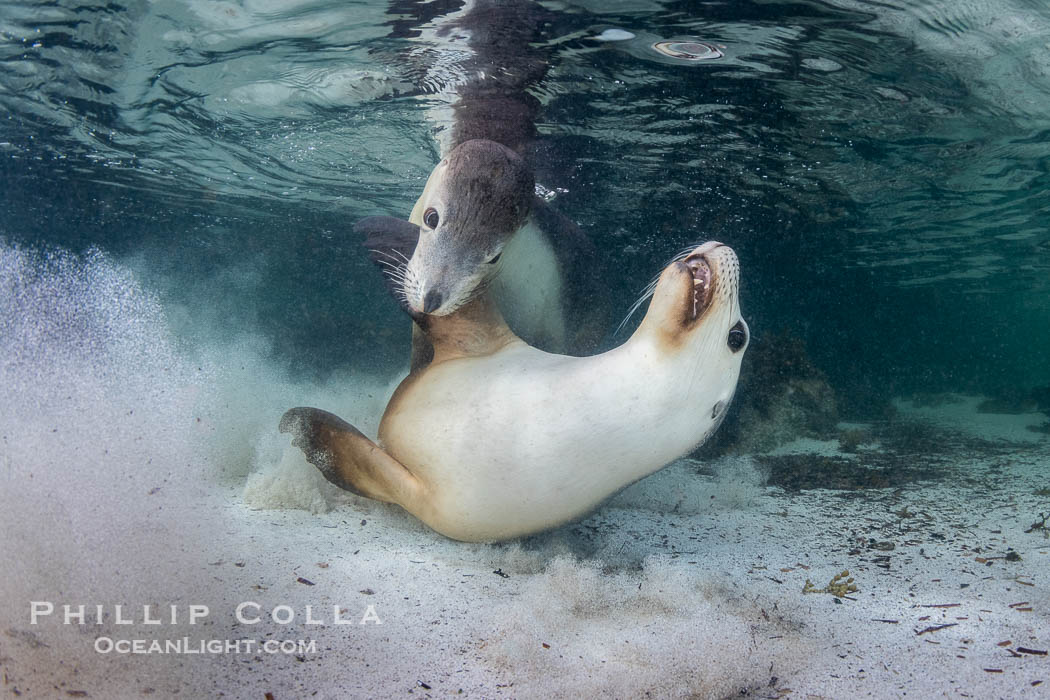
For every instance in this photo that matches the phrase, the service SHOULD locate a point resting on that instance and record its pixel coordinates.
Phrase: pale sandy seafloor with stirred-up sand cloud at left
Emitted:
(141, 470)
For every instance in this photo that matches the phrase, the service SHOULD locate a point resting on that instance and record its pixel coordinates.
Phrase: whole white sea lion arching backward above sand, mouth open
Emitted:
(495, 439)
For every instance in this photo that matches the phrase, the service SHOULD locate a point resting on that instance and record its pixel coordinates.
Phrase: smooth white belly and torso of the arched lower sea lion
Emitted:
(522, 441)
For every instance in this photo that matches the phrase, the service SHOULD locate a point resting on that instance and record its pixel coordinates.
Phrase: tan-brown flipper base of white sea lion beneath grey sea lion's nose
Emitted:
(475, 330)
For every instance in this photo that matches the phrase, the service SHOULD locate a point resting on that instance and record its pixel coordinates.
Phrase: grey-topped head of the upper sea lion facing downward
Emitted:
(474, 203)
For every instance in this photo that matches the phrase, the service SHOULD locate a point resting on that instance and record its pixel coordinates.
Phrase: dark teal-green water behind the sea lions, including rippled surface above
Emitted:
(881, 169)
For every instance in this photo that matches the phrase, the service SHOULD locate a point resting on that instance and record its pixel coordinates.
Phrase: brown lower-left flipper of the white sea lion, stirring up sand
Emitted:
(347, 458)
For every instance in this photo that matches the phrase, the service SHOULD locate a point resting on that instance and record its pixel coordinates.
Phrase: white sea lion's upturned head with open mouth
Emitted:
(696, 315)
